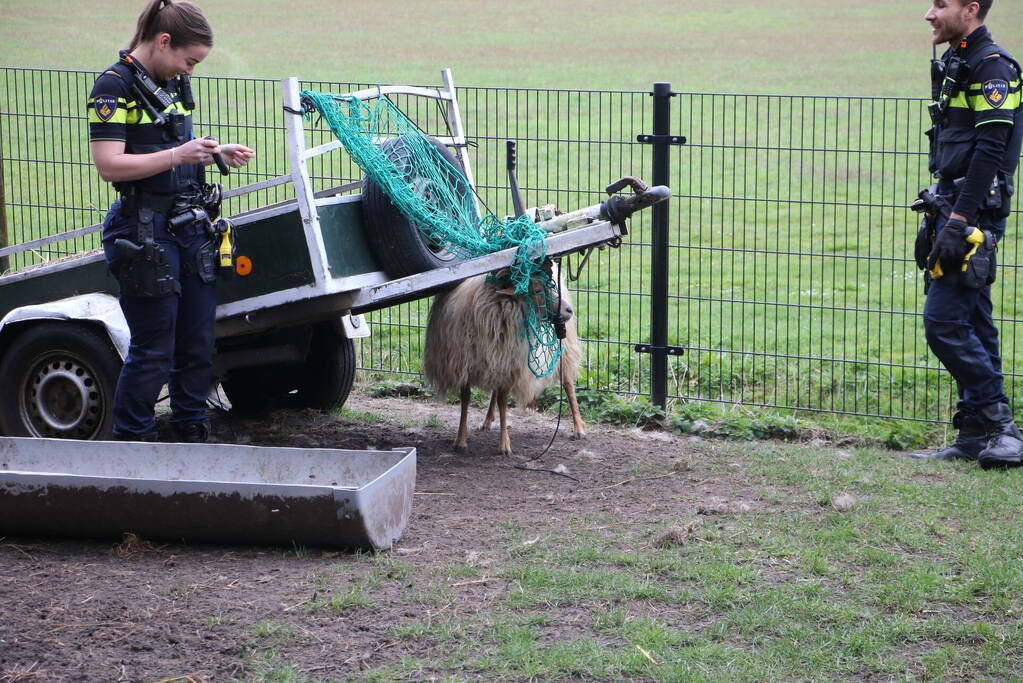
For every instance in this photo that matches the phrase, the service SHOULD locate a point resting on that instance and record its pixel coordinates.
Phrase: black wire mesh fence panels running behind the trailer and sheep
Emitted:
(791, 279)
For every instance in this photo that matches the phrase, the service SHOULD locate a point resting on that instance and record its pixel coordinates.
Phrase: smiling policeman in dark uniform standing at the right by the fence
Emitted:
(975, 148)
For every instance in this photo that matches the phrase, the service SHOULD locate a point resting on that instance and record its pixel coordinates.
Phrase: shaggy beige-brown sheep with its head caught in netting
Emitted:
(474, 339)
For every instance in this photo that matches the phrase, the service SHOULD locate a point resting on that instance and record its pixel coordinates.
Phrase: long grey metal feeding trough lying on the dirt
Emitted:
(211, 493)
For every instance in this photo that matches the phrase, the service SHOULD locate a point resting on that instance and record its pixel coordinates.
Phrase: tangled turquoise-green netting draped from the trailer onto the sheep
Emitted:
(437, 200)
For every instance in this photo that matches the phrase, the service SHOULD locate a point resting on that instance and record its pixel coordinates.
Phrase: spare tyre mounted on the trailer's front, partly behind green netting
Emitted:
(398, 245)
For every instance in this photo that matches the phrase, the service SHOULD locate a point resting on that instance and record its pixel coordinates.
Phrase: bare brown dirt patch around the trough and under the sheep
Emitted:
(141, 611)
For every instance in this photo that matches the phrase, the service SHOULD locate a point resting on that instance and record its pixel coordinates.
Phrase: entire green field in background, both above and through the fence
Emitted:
(791, 282)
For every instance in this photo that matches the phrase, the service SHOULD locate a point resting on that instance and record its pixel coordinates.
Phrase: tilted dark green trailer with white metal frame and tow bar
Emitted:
(287, 329)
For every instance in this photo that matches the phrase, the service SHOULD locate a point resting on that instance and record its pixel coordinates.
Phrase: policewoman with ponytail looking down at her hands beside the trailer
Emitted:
(160, 236)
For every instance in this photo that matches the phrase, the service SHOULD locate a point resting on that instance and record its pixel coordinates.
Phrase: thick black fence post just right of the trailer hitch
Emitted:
(661, 140)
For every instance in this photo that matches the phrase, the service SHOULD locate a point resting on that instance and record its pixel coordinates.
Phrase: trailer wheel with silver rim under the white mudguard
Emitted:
(62, 379)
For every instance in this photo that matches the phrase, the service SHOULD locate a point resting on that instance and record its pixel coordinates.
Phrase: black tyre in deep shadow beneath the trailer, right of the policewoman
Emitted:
(323, 382)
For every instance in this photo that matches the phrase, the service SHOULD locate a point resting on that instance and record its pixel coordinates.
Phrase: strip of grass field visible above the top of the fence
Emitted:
(814, 48)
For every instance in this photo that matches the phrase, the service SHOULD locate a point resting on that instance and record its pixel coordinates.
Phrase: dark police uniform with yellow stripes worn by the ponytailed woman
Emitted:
(167, 297)
